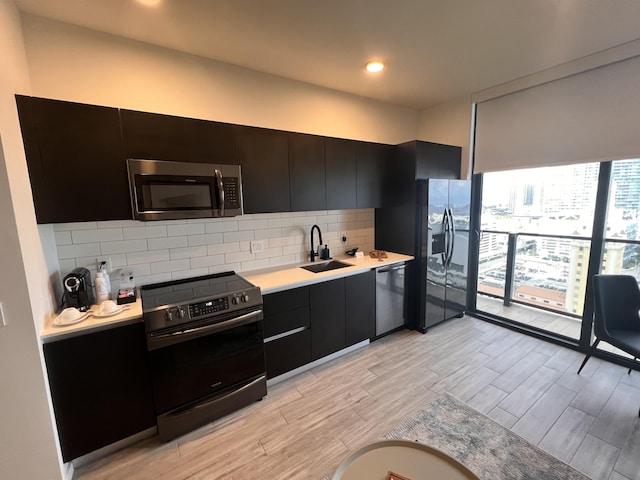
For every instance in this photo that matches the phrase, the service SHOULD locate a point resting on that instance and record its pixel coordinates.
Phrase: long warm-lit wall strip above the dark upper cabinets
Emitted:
(76, 64)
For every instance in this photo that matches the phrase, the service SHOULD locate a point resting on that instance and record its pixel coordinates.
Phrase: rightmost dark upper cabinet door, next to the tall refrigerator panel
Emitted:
(372, 164)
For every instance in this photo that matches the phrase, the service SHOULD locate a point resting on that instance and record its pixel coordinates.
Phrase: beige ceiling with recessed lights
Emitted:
(435, 50)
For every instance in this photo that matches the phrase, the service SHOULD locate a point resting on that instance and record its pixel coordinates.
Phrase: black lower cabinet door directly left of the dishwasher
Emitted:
(360, 293)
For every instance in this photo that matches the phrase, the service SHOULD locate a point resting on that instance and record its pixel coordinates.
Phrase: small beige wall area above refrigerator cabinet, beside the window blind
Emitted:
(449, 123)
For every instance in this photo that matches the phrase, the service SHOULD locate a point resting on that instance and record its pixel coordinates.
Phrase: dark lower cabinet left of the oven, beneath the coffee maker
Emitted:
(100, 388)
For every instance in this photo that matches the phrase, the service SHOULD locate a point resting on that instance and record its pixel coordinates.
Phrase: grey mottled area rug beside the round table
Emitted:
(482, 445)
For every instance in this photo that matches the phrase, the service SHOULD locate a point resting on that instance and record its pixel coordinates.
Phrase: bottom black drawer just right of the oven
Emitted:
(286, 353)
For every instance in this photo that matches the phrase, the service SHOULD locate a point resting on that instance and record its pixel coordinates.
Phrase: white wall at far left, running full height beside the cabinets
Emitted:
(27, 441)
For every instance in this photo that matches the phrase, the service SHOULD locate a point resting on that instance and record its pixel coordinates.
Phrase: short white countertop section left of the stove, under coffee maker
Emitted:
(91, 324)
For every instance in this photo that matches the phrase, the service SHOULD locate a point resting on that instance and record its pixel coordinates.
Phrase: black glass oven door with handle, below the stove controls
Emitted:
(194, 363)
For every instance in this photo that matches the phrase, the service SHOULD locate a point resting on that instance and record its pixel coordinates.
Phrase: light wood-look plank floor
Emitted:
(308, 424)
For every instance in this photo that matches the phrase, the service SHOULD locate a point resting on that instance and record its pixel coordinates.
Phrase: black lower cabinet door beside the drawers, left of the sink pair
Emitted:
(327, 318)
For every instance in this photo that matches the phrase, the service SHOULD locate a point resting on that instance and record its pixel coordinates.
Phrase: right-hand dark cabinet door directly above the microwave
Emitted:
(211, 142)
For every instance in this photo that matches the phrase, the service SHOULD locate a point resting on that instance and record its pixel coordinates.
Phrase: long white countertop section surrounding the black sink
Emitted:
(291, 276)
